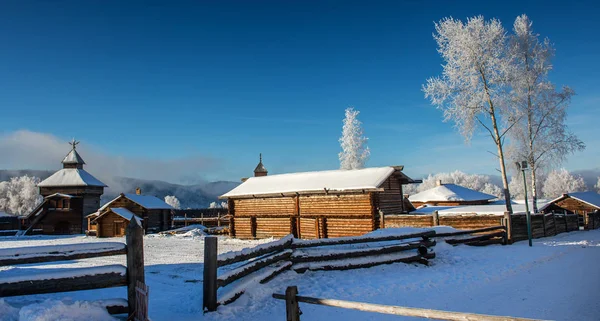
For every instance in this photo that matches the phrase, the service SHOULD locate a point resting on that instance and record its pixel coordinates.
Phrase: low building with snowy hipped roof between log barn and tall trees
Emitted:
(450, 195)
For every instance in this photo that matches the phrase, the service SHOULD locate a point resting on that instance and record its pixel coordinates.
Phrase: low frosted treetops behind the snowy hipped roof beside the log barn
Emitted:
(481, 183)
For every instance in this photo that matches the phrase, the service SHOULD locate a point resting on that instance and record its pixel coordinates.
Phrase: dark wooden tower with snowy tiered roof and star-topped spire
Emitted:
(69, 195)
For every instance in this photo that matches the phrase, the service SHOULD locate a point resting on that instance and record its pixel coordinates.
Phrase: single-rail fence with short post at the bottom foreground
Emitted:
(292, 309)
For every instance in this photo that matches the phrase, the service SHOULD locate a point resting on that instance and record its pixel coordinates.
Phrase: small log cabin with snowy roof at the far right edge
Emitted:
(574, 203)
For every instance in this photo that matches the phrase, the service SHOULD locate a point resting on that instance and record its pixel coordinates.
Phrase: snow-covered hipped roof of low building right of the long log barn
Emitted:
(450, 192)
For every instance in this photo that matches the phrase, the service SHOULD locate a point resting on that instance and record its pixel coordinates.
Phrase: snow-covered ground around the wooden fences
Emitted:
(556, 279)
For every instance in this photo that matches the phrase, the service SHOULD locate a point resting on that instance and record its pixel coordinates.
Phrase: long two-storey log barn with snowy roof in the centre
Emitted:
(316, 204)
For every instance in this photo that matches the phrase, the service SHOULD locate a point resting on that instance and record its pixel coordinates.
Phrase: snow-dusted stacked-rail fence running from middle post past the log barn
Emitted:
(302, 255)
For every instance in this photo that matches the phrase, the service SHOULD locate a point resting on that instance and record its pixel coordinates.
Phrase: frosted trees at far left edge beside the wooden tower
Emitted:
(19, 196)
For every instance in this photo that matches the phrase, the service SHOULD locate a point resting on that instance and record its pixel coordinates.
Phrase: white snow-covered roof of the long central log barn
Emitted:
(313, 182)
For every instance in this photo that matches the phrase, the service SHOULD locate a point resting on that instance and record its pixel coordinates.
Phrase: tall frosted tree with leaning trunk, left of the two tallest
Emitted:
(473, 90)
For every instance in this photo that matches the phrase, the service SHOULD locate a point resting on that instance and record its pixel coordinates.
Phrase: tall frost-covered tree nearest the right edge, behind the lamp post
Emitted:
(541, 136)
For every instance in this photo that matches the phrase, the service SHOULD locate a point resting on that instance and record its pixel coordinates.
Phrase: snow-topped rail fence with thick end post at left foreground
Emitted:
(76, 279)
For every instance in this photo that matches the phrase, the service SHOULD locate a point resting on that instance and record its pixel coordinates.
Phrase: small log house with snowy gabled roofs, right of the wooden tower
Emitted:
(154, 214)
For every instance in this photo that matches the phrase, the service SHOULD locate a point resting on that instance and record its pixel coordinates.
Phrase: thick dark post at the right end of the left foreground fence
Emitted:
(135, 260)
